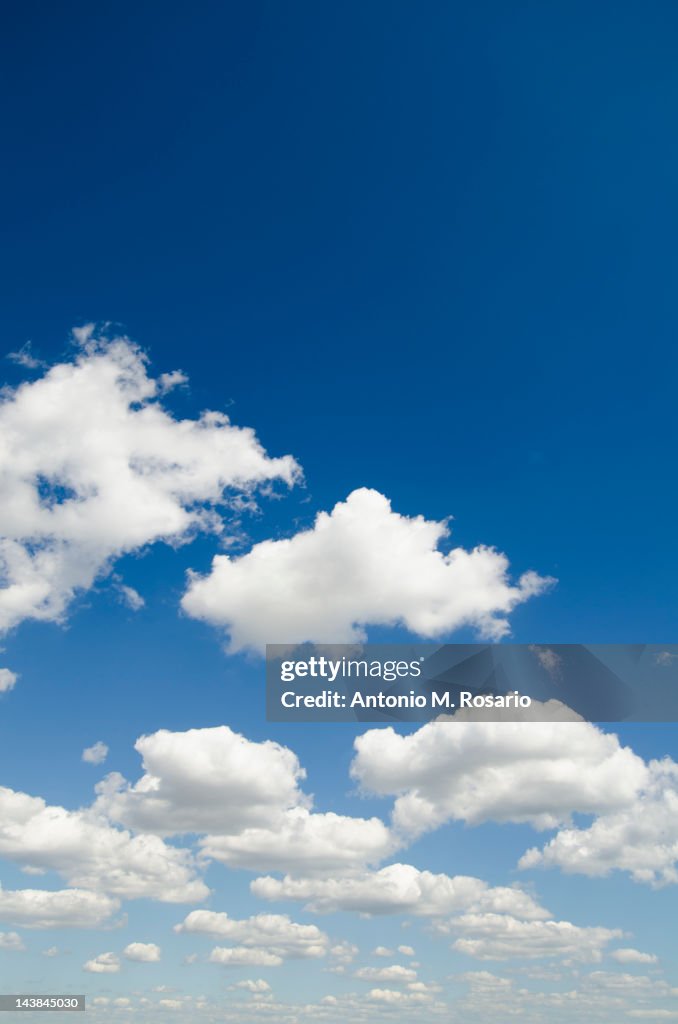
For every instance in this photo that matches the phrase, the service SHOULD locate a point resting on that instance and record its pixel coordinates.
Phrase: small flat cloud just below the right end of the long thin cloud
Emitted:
(492, 936)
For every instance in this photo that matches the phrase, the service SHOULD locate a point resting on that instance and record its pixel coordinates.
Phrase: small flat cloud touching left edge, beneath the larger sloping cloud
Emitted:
(63, 909)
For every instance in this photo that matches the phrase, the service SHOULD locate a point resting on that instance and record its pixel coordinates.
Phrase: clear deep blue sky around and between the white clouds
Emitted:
(426, 248)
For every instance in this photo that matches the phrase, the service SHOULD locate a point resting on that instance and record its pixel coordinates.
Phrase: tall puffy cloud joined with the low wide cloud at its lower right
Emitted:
(246, 797)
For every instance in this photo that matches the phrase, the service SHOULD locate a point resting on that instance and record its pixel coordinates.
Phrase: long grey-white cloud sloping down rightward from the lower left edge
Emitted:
(92, 855)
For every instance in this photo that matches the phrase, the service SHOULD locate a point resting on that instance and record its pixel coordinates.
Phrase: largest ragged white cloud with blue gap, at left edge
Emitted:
(93, 466)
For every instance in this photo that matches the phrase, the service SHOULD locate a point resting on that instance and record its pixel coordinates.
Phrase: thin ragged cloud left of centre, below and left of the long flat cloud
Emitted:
(282, 937)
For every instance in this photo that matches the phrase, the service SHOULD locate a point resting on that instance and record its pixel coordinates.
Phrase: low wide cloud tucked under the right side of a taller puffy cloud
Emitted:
(305, 842)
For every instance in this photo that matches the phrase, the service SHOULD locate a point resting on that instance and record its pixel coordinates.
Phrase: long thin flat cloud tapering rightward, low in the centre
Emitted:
(400, 889)
